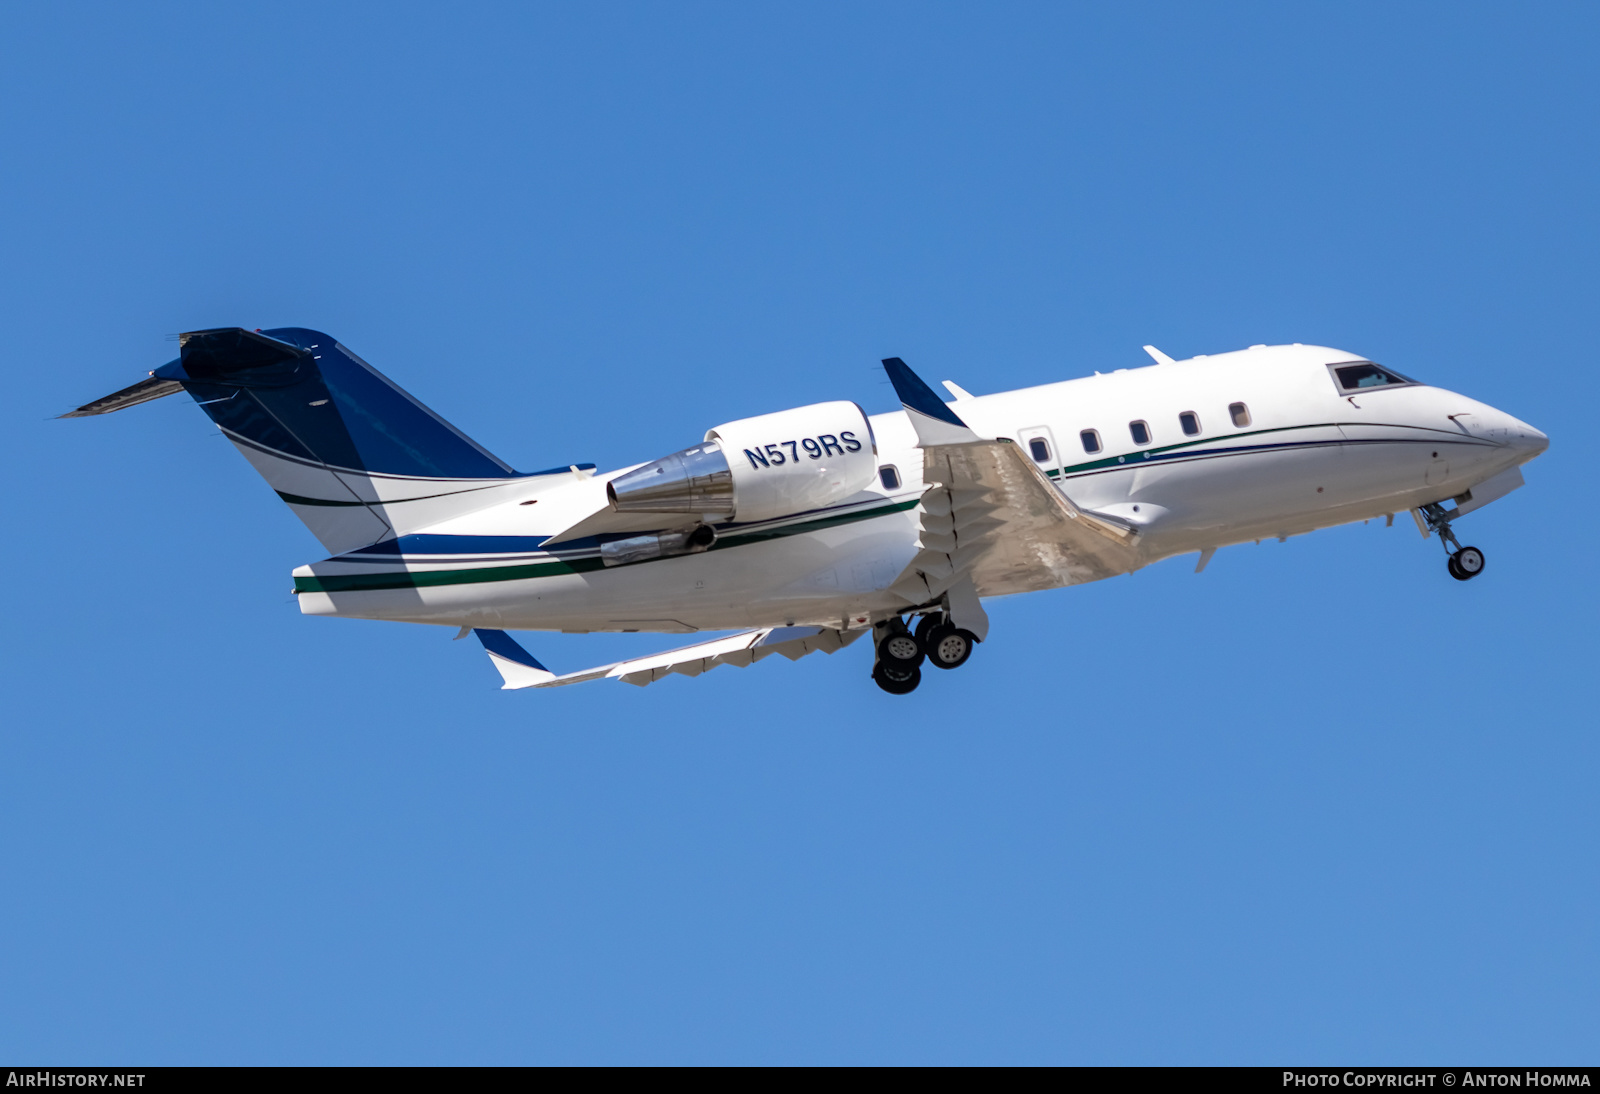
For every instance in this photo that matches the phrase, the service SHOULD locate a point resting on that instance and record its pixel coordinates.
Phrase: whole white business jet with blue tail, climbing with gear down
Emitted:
(815, 527)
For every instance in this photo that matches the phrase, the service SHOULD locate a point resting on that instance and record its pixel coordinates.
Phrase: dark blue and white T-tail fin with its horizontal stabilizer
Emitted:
(354, 457)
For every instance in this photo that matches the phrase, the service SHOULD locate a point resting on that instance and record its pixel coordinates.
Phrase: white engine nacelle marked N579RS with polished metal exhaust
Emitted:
(758, 468)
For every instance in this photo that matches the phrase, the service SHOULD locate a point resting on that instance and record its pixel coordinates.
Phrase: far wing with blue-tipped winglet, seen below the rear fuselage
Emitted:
(519, 669)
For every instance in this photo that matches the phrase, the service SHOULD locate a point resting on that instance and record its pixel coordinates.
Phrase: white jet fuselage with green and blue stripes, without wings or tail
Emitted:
(1305, 457)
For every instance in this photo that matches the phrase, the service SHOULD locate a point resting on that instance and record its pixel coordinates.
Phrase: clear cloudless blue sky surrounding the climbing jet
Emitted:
(1321, 804)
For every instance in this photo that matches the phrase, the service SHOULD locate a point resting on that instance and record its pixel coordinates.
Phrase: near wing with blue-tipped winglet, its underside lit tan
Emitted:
(991, 516)
